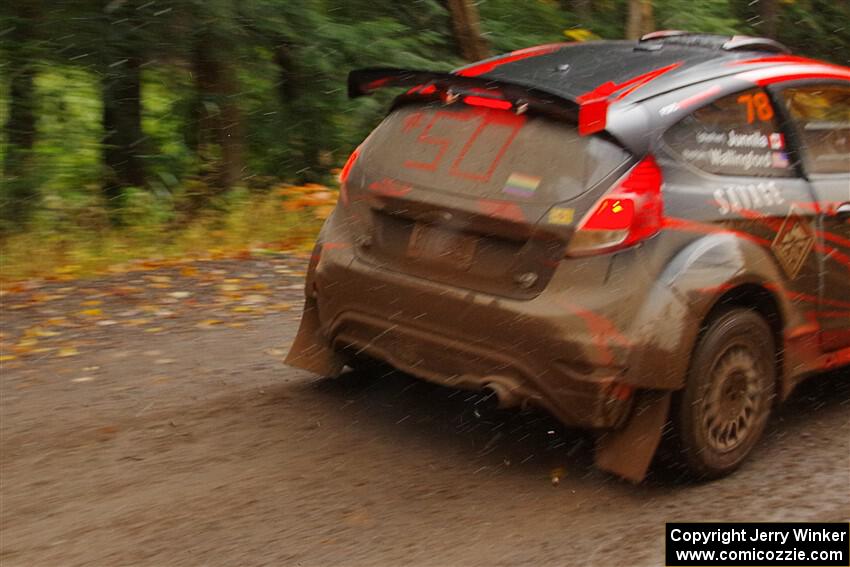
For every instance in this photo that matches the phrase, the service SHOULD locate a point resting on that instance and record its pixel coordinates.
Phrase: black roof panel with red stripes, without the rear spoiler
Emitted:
(635, 70)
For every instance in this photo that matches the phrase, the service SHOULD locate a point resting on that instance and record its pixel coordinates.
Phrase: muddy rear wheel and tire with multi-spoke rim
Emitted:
(726, 403)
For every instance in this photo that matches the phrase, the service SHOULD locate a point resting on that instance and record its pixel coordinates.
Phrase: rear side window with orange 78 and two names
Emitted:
(734, 135)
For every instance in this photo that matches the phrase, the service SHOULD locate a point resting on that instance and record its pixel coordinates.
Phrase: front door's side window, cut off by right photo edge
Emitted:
(821, 116)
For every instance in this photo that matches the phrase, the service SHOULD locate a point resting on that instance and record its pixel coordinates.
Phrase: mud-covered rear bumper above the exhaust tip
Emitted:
(548, 351)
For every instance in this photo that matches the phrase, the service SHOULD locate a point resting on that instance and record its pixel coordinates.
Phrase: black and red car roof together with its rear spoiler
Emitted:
(602, 80)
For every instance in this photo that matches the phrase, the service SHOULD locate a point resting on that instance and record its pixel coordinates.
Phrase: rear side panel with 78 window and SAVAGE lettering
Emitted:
(730, 168)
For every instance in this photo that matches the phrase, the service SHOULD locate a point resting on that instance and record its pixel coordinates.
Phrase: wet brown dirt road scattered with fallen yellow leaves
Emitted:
(148, 419)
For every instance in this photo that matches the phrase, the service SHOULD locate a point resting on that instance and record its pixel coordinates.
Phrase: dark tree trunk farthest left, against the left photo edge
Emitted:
(19, 193)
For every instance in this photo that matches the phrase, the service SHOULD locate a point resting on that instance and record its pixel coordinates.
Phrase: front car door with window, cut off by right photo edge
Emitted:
(820, 116)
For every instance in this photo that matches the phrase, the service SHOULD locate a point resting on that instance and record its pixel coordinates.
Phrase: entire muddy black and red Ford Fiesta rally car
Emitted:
(627, 234)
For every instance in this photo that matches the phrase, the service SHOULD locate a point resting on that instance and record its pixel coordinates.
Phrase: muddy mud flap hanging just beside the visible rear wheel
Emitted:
(628, 452)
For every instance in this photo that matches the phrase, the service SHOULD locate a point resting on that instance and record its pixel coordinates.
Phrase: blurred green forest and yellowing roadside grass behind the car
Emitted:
(138, 129)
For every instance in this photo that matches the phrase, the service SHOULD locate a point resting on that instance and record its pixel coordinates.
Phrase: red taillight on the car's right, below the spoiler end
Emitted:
(626, 215)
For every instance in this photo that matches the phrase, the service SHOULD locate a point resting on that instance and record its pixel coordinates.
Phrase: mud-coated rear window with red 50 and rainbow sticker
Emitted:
(481, 152)
